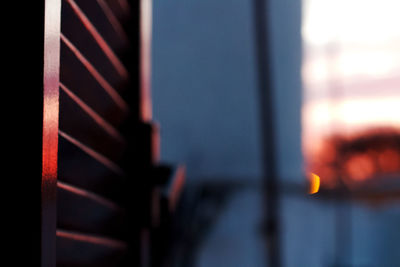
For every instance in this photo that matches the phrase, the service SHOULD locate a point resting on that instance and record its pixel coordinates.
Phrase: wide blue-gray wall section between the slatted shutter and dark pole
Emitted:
(204, 87)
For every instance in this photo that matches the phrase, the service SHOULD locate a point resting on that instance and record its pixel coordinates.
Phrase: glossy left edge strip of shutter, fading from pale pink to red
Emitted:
(51, 67)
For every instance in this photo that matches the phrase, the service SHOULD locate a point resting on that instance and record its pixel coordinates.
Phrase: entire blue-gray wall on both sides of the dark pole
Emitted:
(205, 87)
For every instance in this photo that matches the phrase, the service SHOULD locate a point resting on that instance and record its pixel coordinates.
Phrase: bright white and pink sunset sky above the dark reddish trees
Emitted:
(351, 67)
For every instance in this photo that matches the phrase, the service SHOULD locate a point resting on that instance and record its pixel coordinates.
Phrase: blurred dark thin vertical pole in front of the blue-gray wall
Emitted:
(268, 136)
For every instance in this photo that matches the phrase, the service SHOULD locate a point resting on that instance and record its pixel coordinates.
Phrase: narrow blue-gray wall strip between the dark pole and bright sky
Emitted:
(286, 52)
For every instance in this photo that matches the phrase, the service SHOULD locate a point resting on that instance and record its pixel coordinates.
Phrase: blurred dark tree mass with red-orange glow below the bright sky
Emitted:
(353, 159)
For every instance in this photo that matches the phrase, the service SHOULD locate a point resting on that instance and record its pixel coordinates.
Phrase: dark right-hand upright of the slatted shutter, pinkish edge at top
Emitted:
(138, 133)
